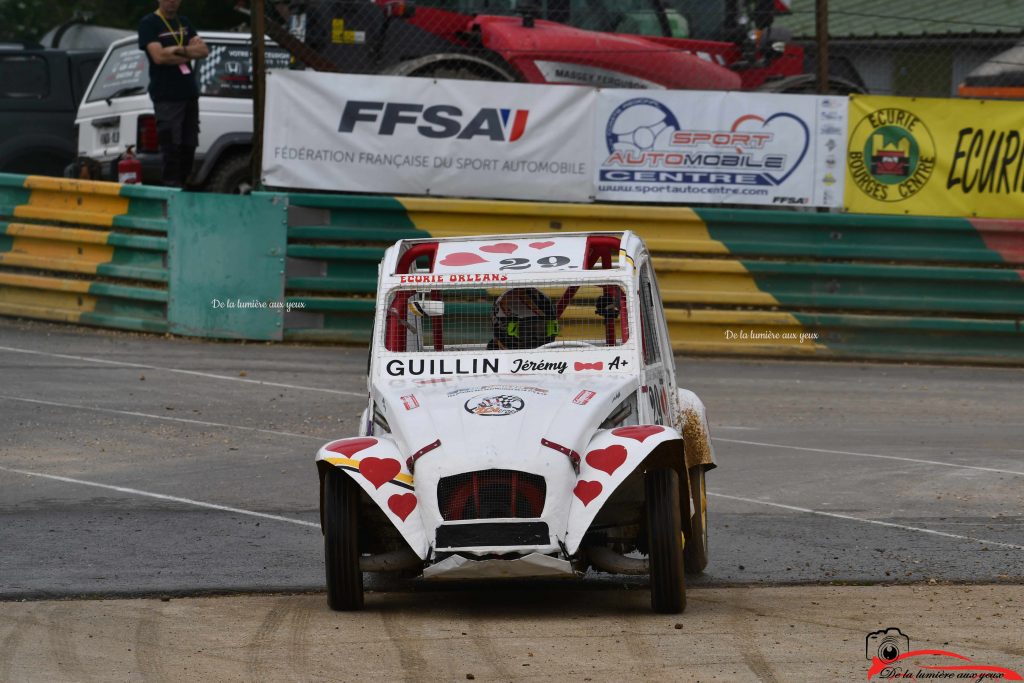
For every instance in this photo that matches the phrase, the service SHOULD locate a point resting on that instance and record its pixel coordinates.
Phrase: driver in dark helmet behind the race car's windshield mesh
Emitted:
(524, 318)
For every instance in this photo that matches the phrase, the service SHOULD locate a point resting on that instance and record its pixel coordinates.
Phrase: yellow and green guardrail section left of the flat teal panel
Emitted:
(78, 251)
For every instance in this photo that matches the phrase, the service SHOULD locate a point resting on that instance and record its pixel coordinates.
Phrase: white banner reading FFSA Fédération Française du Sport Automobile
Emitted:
(425, 137)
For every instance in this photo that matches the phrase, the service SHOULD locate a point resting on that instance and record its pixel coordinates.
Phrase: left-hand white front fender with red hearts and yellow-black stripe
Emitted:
(377, 466)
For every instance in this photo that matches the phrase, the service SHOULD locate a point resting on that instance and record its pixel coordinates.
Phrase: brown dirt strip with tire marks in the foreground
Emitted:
(737, 635)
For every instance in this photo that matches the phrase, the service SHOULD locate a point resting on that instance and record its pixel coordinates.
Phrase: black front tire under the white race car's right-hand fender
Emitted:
(668, 585)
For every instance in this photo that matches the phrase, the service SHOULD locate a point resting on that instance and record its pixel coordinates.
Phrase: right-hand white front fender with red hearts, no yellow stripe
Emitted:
(612, 457)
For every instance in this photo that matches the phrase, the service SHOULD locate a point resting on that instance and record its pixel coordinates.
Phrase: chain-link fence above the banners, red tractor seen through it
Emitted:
(915, 48)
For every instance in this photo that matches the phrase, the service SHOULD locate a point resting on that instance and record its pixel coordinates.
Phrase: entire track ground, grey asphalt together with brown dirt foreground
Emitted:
(143, 466)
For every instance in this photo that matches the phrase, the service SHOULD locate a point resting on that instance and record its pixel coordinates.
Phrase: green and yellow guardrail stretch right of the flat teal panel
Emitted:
(747, 282)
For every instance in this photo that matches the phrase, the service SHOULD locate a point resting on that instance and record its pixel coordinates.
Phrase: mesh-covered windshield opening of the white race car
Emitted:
(506, 318)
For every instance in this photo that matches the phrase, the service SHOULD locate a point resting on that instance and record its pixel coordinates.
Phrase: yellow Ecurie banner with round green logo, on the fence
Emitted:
(935, 157)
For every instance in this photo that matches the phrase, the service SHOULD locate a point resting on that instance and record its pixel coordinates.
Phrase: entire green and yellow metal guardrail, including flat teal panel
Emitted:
(737, 282)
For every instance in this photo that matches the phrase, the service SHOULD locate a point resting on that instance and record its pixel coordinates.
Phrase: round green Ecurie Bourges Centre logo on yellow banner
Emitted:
(892, 155)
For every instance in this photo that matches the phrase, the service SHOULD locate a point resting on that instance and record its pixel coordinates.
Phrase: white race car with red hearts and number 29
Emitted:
(524, 420)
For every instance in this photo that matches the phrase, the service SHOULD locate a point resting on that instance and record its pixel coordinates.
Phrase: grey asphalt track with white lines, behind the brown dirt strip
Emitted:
(829, 473)
